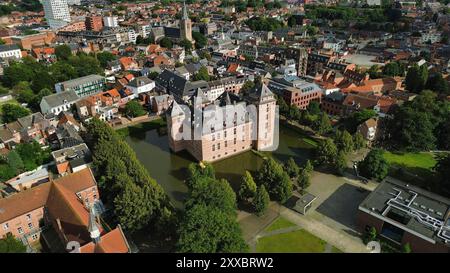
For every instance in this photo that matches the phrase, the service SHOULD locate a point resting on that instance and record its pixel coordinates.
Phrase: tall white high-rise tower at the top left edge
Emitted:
(56, 12)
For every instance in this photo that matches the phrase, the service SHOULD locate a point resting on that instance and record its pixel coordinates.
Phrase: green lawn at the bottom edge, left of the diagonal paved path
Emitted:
(299, 241)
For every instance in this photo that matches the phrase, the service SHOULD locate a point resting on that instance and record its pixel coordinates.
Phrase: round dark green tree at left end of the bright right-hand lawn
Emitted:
(374, 165)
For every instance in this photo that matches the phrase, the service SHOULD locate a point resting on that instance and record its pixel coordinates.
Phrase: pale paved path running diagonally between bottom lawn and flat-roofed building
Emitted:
(334, 237)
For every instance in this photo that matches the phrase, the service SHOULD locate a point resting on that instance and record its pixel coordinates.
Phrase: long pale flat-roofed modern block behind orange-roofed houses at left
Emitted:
(84, 86)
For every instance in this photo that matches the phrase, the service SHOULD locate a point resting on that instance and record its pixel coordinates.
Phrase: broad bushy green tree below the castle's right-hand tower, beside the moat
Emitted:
(275, 179)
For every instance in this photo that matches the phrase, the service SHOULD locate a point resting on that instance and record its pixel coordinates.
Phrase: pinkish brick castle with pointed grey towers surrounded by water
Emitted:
(231, 124)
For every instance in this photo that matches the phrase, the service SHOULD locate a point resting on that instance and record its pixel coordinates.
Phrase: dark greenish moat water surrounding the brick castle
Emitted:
(170, 169)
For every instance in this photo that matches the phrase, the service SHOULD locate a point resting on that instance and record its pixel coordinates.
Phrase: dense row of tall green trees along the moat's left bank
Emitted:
(136, 199)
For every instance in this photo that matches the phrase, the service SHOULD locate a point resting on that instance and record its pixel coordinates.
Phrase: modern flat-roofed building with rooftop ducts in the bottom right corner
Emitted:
(403, 213)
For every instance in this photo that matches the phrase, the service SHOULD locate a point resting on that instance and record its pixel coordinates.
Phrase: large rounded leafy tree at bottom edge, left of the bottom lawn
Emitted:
(205, 229)
